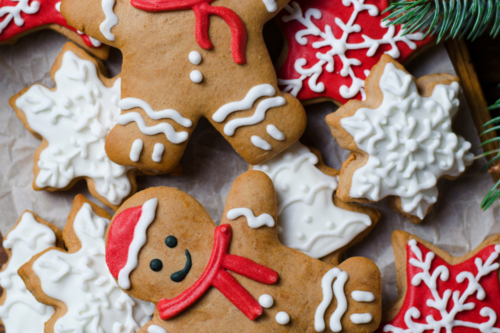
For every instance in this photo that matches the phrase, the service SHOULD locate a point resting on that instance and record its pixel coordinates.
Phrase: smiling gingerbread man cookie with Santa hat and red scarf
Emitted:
(163, 247)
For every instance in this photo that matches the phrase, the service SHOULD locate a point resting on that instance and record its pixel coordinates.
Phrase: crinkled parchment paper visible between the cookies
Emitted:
(456, 223)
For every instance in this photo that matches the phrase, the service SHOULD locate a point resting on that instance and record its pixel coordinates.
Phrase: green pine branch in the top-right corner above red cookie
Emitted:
(447, 18)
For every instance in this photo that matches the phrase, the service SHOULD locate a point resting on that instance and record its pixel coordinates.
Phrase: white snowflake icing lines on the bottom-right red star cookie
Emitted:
(440, 303)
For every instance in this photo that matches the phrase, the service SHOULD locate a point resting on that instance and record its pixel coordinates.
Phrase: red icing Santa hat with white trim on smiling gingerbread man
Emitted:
(126, 237)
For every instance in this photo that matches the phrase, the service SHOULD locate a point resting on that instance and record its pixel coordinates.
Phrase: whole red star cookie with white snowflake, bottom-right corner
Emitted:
(440, 293)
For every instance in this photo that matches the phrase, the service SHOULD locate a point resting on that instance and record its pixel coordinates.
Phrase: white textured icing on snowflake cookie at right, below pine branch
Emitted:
(409, 141)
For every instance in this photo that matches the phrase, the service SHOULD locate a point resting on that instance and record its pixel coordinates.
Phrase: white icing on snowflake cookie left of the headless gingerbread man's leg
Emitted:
(75, 120)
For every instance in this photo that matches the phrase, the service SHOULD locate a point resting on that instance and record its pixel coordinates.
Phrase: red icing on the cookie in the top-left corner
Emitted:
(47, 14)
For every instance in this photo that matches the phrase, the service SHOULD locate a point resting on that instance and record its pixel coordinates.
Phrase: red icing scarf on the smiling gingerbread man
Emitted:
(215, 275)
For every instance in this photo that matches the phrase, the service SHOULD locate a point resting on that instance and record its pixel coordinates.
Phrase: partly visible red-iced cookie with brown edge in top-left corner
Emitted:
(20, 17)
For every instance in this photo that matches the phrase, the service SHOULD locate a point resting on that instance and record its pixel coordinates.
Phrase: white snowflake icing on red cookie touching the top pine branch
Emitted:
(338, 47)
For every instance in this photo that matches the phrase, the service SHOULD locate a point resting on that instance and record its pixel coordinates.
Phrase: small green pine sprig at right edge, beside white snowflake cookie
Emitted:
(494, 193)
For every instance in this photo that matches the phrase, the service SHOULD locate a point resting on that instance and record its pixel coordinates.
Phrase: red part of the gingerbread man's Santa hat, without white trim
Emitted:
(120, 236)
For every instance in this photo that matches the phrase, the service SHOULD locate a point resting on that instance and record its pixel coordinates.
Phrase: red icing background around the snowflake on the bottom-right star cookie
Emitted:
(417, 296)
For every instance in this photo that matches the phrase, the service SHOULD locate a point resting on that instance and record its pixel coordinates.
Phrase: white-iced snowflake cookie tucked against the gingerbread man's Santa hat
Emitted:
(77, 283)
